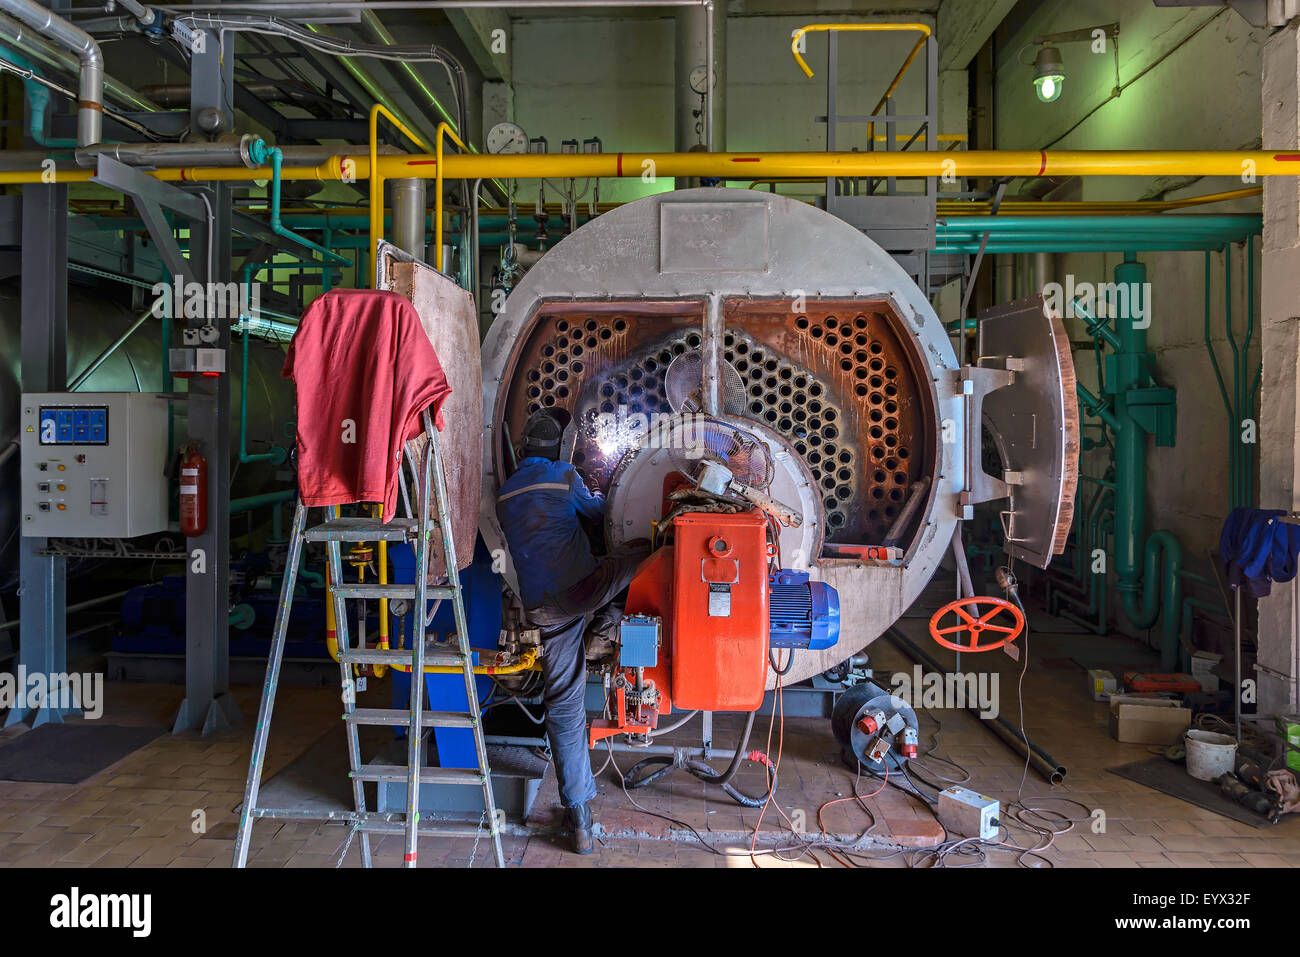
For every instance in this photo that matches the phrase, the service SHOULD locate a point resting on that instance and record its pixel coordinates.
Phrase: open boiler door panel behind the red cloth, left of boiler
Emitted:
(450, 319)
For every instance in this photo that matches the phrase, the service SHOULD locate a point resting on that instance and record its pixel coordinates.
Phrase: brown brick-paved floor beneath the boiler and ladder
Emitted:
(144, 811)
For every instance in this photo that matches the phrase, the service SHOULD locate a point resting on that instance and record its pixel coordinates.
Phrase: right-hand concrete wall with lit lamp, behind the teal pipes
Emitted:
(1190, 80)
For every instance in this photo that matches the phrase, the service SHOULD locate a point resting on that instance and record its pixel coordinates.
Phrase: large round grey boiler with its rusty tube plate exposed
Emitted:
(831, 356)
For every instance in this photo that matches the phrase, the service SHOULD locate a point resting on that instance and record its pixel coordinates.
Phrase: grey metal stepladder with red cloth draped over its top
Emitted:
(417, 529)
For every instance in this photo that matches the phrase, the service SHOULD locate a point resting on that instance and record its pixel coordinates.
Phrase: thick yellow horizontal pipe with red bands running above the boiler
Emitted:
(976, 163)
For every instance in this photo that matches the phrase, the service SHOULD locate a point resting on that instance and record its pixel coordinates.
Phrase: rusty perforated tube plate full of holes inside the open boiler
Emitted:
(835, 380)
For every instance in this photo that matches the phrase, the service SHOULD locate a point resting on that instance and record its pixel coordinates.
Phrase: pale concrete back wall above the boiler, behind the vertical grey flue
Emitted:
(614, 79)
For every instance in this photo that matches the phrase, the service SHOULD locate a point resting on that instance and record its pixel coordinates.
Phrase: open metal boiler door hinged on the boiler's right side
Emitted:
(1035, 425)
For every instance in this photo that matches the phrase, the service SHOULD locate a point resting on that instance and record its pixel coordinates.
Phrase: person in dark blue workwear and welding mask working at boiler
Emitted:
(564, 587)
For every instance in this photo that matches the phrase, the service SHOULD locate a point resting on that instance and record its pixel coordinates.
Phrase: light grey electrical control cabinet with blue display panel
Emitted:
(93, 465)
